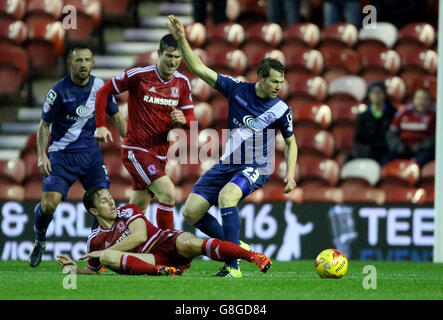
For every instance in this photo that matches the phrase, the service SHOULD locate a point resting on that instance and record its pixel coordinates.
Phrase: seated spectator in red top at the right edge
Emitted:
(412, 132)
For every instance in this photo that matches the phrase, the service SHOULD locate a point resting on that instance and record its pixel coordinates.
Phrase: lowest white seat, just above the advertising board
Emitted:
(367, 170)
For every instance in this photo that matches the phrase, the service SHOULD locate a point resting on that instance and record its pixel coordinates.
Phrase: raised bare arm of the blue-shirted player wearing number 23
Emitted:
(195, 65)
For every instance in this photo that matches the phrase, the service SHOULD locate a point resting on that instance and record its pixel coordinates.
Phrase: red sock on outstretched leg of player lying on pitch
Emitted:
(224, 251)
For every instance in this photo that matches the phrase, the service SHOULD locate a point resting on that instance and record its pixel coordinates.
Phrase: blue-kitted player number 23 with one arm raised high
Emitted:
(255, 112)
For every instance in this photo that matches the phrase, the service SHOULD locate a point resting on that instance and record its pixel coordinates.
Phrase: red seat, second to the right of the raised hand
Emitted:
(229, 33)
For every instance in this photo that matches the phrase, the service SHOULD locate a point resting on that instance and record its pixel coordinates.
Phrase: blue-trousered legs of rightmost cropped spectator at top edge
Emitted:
(332, 10)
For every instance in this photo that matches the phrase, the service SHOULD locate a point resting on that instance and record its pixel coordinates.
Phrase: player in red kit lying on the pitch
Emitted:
(126, 242)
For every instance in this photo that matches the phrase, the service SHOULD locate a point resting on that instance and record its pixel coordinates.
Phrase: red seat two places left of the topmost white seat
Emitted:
(302, 34)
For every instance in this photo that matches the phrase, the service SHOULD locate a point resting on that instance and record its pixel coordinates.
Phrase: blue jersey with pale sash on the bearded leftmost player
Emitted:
(70, 108)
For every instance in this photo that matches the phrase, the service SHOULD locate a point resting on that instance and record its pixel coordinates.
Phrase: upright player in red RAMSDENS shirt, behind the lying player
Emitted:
(159, 99)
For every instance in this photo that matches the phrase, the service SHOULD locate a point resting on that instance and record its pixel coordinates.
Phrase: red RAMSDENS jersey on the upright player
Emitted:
(151, 100)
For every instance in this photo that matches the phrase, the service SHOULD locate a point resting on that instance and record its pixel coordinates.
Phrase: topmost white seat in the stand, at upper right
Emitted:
(383, 36)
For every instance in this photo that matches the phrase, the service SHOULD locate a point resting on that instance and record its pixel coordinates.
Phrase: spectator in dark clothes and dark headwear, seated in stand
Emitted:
(373, 124)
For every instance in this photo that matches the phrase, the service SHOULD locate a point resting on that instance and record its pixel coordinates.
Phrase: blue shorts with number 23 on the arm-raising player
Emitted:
(212, 181)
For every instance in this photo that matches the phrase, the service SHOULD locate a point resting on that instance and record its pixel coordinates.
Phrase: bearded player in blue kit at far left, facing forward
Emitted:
(73, 153)
